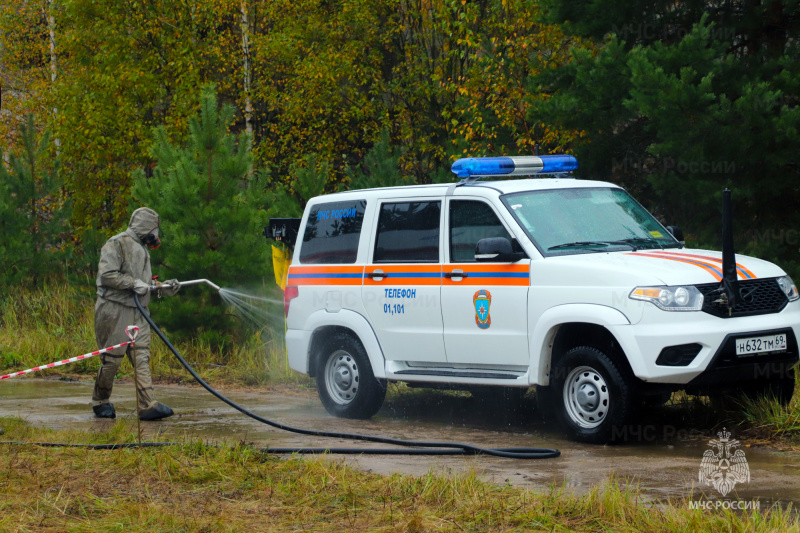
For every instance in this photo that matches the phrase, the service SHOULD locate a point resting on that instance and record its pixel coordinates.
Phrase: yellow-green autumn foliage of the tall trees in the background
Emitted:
(441, 78)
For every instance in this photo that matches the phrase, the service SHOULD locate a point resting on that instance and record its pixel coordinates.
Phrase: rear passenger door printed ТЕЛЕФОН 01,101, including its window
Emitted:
(402, 280)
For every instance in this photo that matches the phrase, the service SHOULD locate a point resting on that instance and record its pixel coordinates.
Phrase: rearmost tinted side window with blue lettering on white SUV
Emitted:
(332, 233)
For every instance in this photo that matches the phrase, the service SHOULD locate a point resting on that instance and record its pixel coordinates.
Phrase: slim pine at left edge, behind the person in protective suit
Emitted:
(33, 211)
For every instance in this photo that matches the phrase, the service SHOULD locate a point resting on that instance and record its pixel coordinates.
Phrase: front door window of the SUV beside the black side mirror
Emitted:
(471, 221)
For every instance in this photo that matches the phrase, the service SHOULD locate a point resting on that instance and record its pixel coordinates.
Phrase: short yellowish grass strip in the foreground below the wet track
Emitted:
(235, 487)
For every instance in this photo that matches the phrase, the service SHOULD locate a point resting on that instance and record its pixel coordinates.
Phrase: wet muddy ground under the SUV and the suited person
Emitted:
(662, 459)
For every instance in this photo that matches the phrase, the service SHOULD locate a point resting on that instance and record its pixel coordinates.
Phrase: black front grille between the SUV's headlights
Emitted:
(766, 297)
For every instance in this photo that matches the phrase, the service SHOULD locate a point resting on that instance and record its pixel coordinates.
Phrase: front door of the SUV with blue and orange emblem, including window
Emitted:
(484, 304)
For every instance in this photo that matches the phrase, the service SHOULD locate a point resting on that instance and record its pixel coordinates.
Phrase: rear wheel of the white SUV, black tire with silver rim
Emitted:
(345, 382)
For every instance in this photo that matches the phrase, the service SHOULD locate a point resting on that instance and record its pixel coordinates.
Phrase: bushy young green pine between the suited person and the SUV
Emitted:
(212, 210)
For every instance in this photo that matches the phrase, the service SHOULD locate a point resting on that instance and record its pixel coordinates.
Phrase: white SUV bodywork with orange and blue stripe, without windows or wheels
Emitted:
(422, 326)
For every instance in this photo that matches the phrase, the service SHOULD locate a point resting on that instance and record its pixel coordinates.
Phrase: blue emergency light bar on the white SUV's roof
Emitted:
(513, 166)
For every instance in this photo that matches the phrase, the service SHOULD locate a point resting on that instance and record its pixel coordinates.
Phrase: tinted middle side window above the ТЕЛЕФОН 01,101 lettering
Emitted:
(408, 232)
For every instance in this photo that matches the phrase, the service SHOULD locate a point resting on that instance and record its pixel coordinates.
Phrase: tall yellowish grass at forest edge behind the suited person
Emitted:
(57, 322)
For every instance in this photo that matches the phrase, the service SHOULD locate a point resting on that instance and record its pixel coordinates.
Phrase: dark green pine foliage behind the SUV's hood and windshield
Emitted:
(678, 101)
